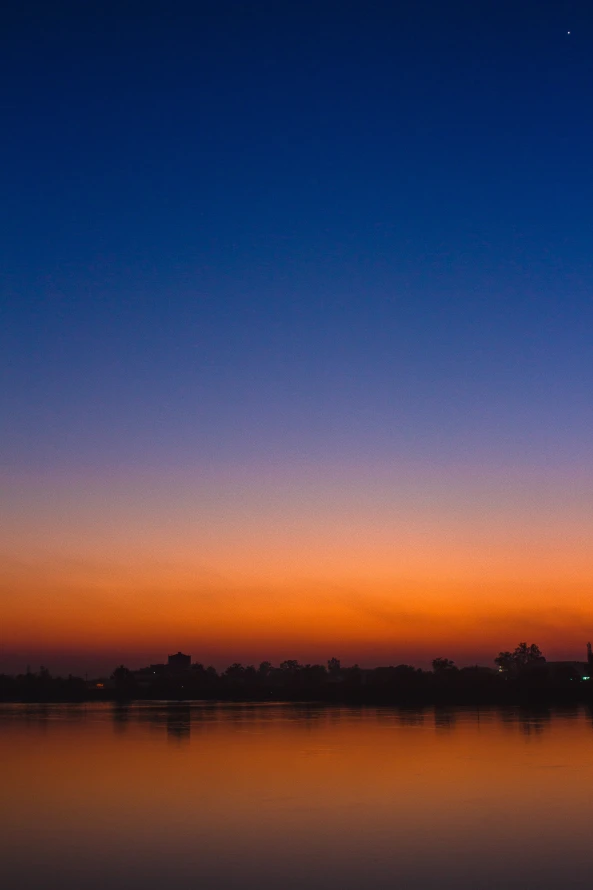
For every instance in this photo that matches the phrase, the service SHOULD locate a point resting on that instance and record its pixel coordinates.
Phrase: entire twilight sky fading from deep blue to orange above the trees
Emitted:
(295, 331)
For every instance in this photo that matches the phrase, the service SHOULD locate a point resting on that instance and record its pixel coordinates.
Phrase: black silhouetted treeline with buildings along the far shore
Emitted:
(521, 675)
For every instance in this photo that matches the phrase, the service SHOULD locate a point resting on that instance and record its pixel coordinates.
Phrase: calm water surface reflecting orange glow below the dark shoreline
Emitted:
(281, 796)
